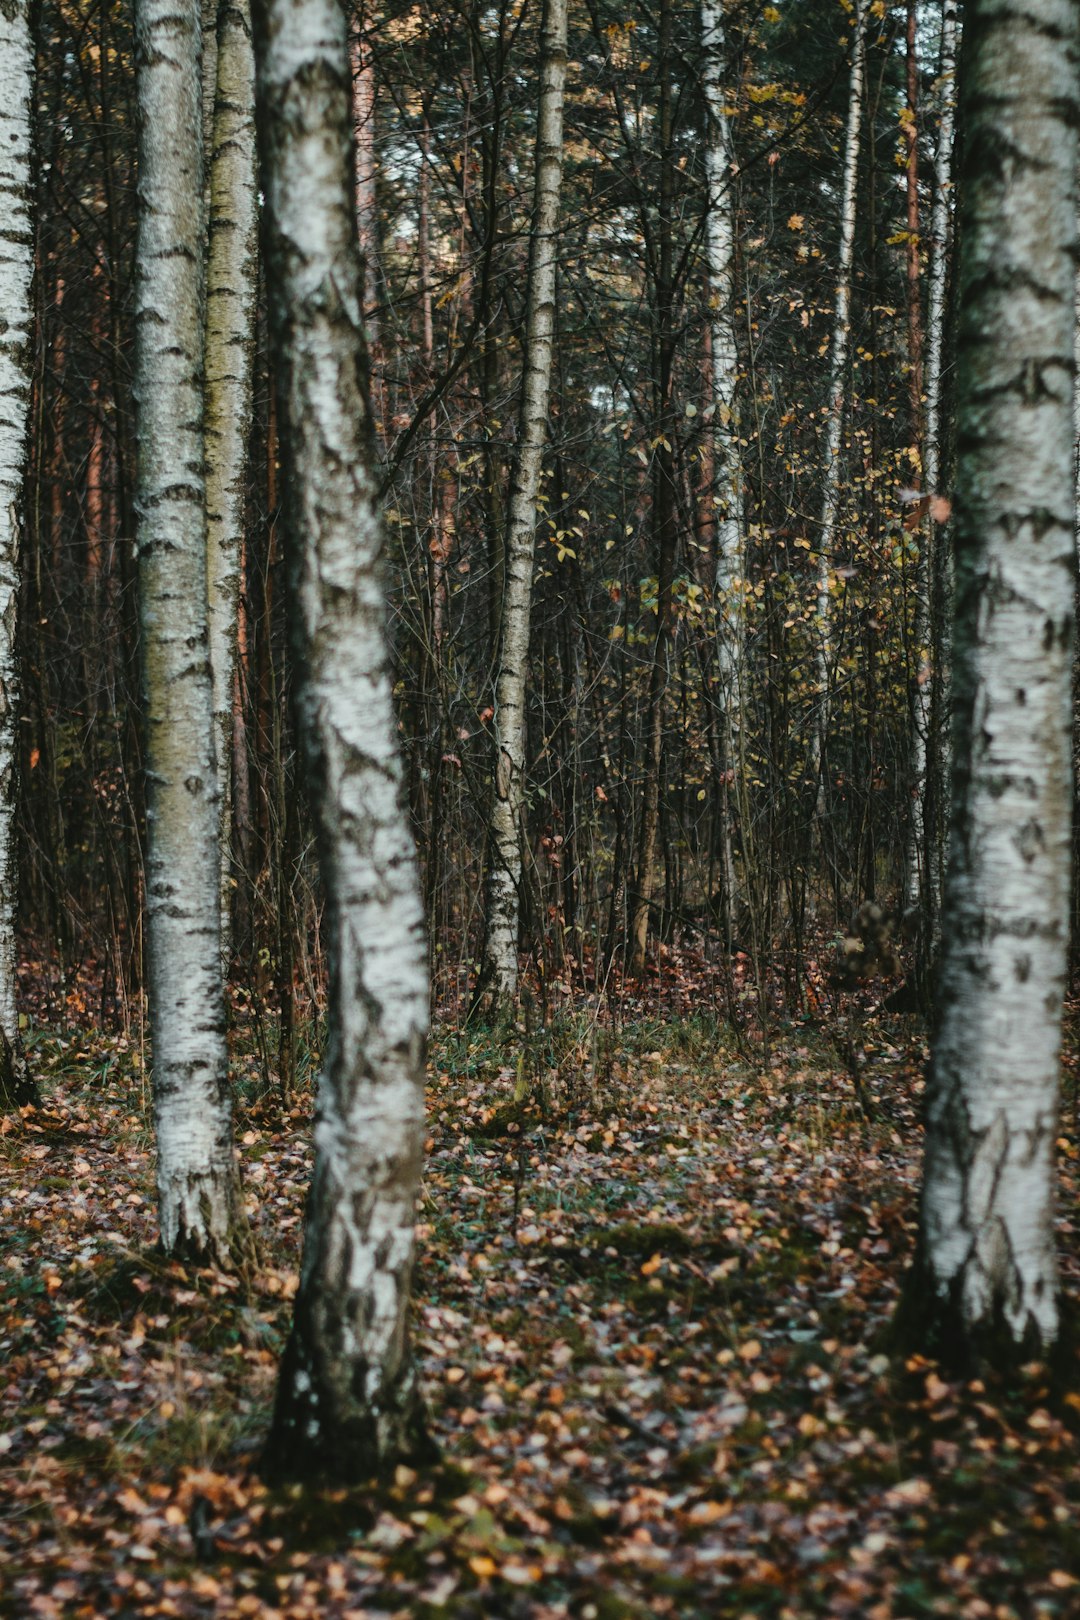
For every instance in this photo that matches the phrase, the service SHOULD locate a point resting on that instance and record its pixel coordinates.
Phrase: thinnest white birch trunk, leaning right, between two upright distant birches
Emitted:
(838, 382)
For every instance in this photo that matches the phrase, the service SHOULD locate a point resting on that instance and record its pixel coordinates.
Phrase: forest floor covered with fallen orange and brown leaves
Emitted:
(657, 1269)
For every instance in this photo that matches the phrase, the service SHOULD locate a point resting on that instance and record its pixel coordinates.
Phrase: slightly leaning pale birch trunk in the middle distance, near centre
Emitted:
(500, 968)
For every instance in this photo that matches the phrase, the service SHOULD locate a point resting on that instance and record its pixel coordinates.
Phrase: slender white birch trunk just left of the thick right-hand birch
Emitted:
(922, 879)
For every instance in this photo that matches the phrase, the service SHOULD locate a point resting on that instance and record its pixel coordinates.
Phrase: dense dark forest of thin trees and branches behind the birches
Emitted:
(446, 129)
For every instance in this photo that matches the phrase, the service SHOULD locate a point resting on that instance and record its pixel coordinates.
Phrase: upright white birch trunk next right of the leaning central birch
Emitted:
(728, 482)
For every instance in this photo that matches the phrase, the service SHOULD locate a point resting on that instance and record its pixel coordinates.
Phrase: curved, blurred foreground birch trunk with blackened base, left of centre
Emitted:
(347, 1399)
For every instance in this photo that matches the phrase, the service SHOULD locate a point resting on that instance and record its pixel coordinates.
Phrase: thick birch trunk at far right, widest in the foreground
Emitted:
(987, 1277)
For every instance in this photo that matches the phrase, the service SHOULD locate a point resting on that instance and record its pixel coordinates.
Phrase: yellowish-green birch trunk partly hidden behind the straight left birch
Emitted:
(231, 310)
